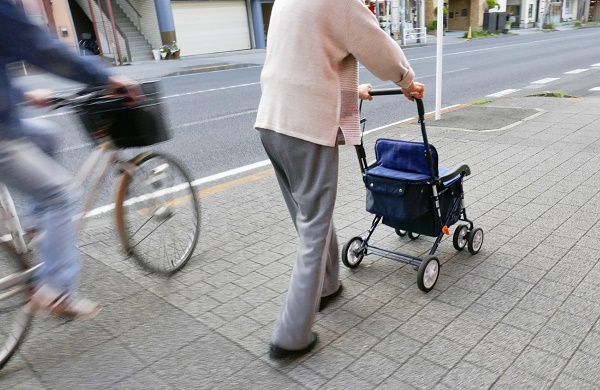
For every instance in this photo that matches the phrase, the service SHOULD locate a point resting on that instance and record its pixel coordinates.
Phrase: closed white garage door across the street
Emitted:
(211, 26)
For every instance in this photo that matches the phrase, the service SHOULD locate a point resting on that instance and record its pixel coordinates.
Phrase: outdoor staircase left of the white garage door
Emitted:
(138, 48)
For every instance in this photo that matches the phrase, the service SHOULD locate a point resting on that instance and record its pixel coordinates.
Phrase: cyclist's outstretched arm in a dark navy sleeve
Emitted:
(22, 40)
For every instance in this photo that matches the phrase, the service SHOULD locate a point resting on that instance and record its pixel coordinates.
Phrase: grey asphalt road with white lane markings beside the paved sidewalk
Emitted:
(212, 113)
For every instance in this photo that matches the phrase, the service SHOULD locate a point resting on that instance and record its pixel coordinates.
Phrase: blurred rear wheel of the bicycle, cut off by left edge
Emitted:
(15, 317)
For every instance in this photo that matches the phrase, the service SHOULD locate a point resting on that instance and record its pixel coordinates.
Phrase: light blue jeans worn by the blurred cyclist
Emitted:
(26, 165)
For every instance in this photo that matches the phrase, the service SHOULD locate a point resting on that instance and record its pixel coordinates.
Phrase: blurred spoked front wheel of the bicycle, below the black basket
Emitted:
(157, 213)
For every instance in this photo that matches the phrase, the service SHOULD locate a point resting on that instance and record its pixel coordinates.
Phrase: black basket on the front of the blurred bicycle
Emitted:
(140, 124)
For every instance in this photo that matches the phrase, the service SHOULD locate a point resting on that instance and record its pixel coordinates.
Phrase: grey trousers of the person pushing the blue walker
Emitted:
(308, 176)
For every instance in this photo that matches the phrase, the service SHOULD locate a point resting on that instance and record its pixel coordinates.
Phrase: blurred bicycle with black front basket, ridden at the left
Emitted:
(154, 198)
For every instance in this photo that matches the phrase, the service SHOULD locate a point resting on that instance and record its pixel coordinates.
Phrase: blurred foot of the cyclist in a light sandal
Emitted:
(55, 303)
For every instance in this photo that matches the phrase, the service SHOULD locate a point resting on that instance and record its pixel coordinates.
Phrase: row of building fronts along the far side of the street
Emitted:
(129, 30)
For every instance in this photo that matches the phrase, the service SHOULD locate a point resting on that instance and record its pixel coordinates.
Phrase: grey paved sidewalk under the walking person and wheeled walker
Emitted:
(522, 314)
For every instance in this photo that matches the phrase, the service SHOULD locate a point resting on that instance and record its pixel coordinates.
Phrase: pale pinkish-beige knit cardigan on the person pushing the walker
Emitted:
(310, 77)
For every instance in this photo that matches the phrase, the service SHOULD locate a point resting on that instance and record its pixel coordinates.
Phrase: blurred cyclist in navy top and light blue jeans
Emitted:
(26, 163)
